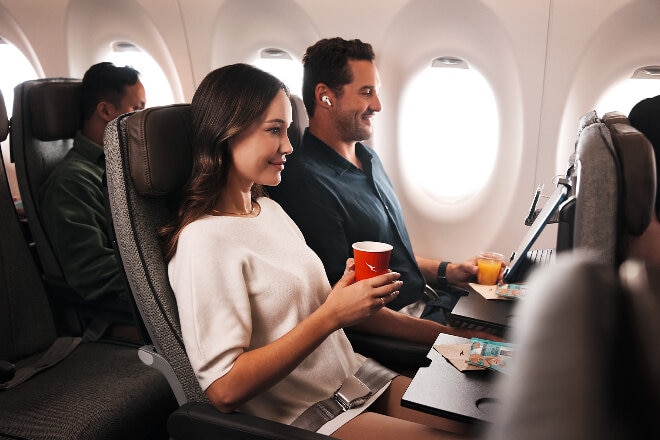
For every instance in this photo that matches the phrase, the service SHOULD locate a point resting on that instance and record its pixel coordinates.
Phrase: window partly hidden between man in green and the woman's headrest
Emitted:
(156, 86)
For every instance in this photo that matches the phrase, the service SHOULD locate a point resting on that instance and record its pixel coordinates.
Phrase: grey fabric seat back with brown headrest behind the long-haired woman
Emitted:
(148, 159)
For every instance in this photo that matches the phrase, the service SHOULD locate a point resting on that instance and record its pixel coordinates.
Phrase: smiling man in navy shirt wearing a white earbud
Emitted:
(337, 191)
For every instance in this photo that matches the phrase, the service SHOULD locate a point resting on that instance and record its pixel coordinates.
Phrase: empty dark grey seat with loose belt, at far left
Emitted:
(97, 391)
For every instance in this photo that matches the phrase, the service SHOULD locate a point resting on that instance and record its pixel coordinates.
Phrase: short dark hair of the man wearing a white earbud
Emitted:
(327, 62)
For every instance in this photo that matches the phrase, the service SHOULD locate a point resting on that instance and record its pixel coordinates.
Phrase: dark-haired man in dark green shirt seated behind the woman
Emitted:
(71, 200)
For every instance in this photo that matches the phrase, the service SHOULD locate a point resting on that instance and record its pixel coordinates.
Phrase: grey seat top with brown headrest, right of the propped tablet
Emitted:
(615, 186)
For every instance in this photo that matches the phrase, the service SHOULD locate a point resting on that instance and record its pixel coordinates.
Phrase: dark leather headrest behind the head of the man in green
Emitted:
(55, 109)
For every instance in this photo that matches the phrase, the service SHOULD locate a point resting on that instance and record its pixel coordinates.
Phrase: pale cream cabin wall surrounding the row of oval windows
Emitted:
(548, 61)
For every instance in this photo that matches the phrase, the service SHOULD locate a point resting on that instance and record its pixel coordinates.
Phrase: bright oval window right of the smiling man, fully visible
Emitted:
(449, 132)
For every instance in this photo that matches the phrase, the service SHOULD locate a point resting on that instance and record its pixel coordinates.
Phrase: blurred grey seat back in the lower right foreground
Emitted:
(606, 383)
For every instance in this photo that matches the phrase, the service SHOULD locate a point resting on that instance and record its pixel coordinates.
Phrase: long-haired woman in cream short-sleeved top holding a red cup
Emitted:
(261, 324)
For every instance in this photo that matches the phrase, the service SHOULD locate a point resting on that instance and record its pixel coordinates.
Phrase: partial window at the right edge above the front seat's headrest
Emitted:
(624, 94)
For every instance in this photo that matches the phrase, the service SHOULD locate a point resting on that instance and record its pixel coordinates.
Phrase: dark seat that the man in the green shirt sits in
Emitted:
(45, 120)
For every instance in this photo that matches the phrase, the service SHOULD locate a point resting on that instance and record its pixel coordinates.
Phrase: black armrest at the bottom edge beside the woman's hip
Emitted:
(201, 421)
